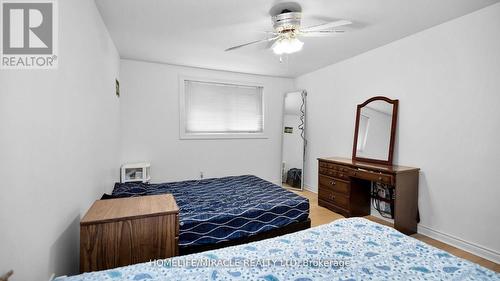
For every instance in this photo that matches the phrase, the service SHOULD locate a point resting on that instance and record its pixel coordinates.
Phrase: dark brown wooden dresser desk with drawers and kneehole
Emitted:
(344, 187)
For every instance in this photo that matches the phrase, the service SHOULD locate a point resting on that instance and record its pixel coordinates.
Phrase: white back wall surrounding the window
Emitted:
(150, 126)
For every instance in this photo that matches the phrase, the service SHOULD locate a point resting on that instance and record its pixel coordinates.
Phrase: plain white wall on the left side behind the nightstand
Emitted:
(58, 146)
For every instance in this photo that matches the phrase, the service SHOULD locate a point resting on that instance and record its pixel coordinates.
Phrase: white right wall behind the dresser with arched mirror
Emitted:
(447, 79)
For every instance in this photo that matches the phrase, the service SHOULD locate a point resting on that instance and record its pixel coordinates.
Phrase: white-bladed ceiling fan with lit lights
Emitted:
(287, 30)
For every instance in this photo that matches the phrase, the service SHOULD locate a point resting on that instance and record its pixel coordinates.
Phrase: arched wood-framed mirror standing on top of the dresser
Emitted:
(375, 130)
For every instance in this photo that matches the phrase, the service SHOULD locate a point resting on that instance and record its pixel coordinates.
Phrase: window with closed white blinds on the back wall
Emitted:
(221, 110)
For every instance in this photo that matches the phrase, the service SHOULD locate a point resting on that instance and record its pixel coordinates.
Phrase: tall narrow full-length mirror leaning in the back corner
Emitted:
(293, 141)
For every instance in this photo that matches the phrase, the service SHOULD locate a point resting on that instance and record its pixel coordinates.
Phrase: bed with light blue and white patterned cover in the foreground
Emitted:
(346, 249)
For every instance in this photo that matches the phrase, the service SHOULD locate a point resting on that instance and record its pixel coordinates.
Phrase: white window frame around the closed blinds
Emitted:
(182, 110)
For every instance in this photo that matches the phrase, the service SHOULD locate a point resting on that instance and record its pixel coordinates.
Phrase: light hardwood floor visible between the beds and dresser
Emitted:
(320, 215)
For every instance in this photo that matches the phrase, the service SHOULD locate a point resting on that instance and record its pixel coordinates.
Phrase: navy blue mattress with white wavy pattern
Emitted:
(222, 209)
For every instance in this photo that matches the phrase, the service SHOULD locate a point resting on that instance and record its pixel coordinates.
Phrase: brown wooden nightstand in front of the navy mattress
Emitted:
(119, 232)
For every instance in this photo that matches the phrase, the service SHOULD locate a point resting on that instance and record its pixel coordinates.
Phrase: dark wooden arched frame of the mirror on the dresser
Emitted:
(393, 131)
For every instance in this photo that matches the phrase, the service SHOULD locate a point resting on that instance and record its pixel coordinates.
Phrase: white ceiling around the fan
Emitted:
(196, 32)
